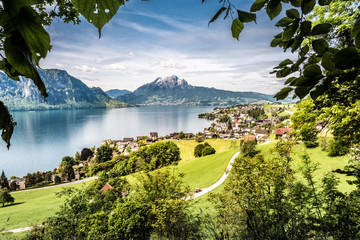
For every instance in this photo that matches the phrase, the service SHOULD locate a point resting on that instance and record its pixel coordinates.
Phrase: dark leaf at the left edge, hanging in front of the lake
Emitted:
(7, 124)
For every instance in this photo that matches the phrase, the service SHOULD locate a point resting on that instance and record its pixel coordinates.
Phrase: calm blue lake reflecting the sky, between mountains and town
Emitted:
(42, 138)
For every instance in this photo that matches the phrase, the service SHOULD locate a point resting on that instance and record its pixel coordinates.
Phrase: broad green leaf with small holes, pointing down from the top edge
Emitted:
(98, 12)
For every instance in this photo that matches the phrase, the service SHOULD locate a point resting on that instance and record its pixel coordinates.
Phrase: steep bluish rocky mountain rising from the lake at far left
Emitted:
(64, 92)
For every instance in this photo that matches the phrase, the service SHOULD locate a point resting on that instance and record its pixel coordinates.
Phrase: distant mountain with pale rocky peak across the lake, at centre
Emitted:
(174, 91)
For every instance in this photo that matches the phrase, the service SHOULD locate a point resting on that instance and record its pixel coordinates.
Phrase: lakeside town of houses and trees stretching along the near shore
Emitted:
(258, 123)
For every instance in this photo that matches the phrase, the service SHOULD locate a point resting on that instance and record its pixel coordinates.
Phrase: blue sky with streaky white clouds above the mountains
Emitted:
(159, 38)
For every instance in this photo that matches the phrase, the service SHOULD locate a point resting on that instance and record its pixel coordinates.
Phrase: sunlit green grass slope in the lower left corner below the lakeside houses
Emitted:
(31, 207)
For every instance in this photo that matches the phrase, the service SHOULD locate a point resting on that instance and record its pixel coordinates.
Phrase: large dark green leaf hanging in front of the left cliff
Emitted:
(19, 56)
